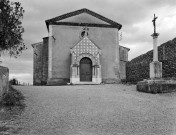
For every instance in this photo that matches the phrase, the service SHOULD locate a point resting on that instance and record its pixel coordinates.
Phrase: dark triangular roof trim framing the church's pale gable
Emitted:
(84, 10)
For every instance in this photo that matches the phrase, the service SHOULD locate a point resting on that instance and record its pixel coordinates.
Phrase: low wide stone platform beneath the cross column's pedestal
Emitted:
(157, 85)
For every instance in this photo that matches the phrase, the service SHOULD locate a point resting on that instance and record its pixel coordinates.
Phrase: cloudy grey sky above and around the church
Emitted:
(134, 15)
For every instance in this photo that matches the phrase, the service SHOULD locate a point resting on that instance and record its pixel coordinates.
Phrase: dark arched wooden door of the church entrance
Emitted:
(85, 70)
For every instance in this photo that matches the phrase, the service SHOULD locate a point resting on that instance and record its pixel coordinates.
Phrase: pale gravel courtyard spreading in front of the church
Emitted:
(90, 110)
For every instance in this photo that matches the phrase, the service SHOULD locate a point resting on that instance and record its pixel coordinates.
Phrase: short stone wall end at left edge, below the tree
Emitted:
(4, 80)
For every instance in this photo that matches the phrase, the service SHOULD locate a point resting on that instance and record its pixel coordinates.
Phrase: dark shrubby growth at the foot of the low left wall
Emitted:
(12, 98)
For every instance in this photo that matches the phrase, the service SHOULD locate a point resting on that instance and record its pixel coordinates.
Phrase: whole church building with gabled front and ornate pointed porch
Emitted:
(82, 47)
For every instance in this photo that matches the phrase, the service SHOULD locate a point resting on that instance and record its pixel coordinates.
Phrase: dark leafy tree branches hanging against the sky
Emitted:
(11, 29)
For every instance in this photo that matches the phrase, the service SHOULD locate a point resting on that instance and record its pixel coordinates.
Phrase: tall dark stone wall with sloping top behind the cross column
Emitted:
(138, 68)
